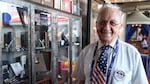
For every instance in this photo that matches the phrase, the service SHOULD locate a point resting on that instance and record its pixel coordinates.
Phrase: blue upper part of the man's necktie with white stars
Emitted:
(102, 61)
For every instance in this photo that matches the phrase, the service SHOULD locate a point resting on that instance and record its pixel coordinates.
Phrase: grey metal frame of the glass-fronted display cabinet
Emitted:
(31, 36)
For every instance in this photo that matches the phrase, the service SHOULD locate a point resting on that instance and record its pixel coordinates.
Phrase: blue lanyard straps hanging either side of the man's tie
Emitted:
(111, 64)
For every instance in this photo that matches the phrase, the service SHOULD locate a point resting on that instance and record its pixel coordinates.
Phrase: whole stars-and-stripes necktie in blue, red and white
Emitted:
(100, 68)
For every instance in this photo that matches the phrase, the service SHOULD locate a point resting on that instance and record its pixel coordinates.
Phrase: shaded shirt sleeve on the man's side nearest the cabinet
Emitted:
(78, 72)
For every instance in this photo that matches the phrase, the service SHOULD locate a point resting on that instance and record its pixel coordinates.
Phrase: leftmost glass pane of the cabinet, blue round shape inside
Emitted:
(14, 43)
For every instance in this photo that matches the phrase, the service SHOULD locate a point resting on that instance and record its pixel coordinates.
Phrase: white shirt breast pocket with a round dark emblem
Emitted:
(121, 77)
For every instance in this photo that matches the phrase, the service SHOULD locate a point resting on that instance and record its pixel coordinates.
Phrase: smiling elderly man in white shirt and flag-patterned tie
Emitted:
(109, 60)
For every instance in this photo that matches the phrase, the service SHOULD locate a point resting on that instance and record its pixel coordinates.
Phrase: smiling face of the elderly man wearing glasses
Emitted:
(108, 24)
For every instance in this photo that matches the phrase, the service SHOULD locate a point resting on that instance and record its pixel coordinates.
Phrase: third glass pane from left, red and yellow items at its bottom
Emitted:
(63, 47)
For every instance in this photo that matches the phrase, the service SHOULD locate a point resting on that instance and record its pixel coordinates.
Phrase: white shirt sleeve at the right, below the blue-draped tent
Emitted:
(139, 75)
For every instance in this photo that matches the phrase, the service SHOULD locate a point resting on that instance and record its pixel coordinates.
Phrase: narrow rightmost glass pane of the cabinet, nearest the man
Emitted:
(76, 40)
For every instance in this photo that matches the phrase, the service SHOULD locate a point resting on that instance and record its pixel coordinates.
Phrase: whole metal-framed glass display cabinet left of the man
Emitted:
(38, 44)
